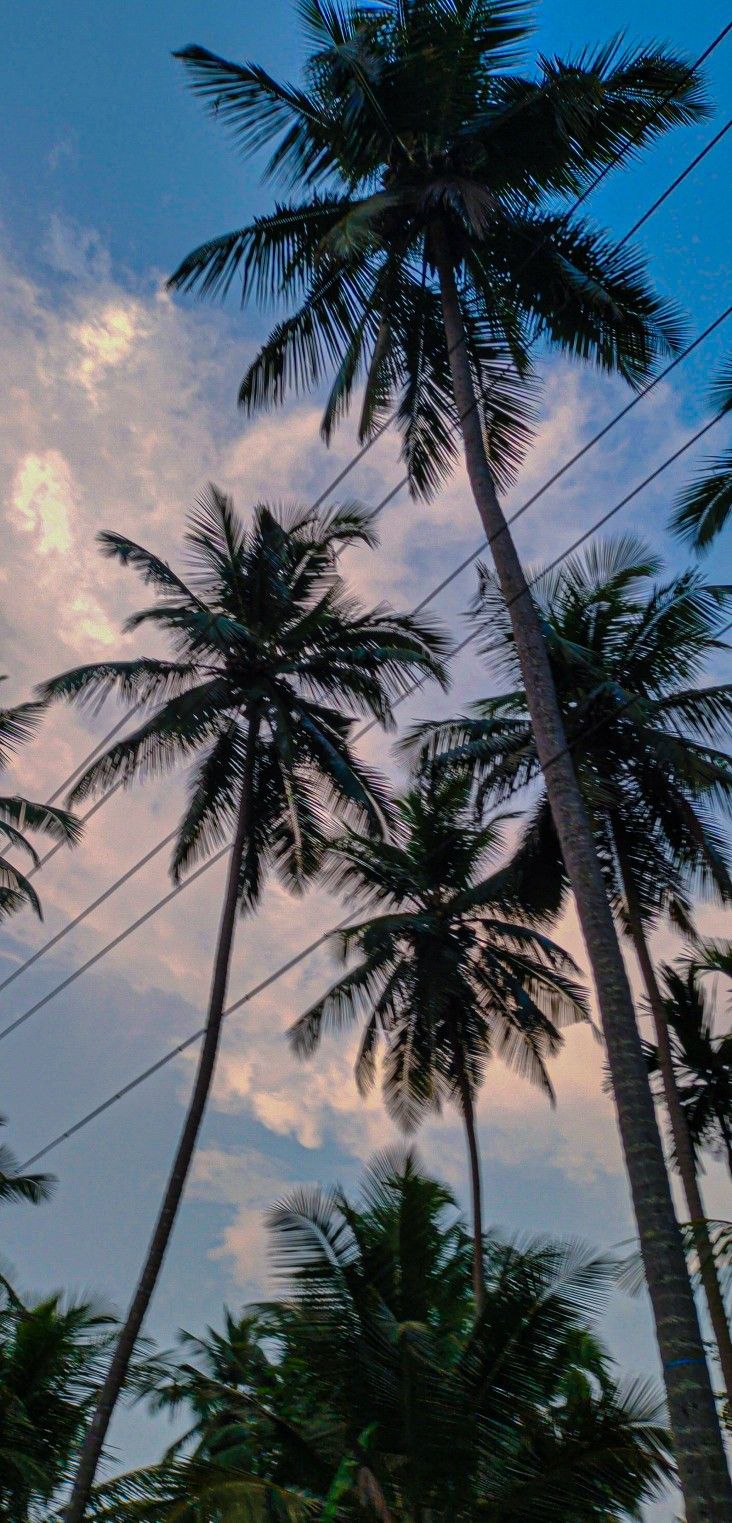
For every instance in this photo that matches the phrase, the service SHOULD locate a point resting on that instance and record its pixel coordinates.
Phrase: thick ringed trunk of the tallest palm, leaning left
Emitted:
(699, 1448)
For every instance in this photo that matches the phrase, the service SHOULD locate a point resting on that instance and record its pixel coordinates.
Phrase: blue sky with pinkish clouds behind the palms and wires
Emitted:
(121, 404)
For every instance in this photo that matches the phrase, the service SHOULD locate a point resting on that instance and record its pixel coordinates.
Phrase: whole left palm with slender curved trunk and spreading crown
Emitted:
(269, 648)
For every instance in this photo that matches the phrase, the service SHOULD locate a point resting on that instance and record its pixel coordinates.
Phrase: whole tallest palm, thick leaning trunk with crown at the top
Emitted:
(430, 249)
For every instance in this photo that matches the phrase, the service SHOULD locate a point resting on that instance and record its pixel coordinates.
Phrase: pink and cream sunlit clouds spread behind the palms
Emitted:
(119, 410)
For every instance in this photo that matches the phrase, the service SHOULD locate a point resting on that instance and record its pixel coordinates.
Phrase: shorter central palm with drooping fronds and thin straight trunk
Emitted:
(447, 972)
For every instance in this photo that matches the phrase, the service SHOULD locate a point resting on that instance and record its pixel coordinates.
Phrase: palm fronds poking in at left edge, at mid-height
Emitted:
(19, 816)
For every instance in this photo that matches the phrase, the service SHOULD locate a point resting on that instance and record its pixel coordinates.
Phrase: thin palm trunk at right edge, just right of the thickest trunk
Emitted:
(679, 1131)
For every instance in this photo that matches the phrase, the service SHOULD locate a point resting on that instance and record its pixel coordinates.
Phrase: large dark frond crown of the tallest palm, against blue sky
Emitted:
(421, 139)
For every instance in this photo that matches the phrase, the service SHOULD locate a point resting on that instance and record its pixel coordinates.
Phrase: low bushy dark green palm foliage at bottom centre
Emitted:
(371, 1388)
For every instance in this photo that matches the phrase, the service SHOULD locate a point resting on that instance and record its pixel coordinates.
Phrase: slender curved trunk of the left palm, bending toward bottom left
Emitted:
(116, 1376)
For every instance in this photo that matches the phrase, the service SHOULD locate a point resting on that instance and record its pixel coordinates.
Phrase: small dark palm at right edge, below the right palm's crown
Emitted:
(702, 1056)
